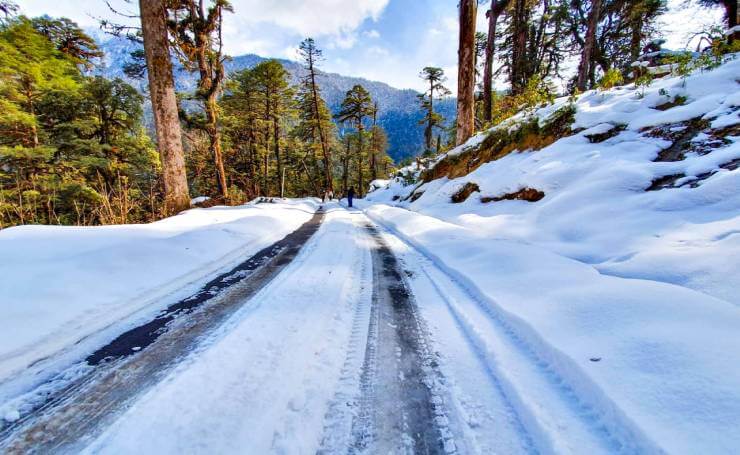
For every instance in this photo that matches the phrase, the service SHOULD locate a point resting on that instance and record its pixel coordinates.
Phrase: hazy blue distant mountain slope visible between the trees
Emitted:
(399, 109)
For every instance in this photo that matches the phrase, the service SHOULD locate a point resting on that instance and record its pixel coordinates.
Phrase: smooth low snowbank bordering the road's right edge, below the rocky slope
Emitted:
(656, 362)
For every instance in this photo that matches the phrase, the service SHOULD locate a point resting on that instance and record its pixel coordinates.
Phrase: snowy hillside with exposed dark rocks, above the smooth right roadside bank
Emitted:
(596, 208)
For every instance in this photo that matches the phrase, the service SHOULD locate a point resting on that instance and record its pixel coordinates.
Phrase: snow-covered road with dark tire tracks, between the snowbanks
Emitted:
(340, 339)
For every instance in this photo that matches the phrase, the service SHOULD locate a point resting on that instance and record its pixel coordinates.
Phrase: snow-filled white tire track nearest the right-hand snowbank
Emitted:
(559, 420)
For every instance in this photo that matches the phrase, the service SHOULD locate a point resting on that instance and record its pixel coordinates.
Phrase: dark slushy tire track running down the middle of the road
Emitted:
(401, 409)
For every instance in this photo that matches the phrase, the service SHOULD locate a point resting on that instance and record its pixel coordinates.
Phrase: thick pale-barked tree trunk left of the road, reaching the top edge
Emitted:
(164, 105)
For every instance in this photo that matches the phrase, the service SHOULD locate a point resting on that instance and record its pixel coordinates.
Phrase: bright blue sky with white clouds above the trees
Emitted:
(385, 40)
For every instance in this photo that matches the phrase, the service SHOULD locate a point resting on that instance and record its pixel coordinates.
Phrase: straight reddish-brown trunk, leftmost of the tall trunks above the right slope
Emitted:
(466, 72)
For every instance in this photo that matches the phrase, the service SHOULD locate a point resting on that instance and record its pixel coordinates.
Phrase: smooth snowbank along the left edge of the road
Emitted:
(61, 284)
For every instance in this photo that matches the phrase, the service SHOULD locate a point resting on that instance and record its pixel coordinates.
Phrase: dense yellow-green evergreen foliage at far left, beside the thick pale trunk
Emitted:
(72, 148)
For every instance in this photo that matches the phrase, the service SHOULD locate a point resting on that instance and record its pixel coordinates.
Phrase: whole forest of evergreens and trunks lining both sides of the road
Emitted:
(75, 148)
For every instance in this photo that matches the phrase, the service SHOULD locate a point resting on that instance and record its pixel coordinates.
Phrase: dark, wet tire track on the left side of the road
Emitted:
(120, 371)
